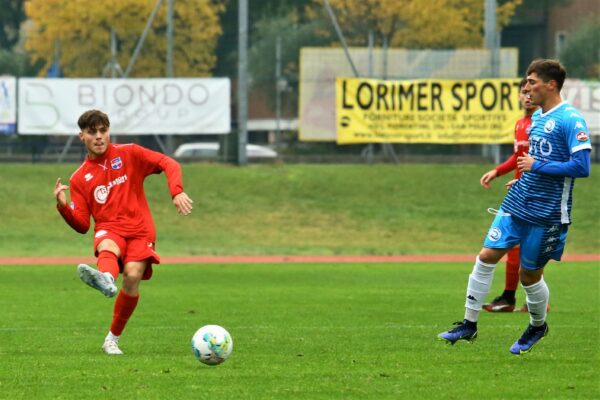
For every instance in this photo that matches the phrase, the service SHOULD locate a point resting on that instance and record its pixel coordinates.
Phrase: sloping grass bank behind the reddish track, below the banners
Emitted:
(292, 209)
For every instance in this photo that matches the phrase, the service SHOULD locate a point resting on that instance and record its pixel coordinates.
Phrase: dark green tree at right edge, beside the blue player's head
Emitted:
(581, 55)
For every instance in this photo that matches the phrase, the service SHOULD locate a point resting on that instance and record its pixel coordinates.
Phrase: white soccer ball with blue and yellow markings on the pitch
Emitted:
(212, 344)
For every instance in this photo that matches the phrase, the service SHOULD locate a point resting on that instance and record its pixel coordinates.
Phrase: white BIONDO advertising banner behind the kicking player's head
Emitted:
(134, 106)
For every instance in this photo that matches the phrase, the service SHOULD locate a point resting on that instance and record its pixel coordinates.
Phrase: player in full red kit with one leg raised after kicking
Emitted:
(109, 187)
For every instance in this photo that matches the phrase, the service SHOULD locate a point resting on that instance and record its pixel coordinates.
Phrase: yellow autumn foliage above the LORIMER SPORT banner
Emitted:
(415, 23)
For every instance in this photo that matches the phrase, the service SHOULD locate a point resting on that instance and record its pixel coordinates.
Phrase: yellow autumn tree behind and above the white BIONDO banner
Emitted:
(81, 31)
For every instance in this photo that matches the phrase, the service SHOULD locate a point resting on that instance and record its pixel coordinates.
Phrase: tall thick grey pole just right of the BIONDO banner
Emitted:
(242, 91)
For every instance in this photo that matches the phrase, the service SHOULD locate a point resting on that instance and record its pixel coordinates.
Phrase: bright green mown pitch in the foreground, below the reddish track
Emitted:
(300, 331)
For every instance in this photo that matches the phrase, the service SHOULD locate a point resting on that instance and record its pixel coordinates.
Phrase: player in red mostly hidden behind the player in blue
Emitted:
(506, 301)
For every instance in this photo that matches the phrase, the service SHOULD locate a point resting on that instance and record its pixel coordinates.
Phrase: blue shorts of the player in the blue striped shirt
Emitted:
(538, 244)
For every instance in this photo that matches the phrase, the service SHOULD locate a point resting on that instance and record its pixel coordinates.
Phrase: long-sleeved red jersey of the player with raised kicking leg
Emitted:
(110, 189)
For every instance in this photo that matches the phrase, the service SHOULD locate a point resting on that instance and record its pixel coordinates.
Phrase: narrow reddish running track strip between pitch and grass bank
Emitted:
(335, 259)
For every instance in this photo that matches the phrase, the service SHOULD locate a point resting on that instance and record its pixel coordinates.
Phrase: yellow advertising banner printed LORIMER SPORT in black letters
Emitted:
(427, 110)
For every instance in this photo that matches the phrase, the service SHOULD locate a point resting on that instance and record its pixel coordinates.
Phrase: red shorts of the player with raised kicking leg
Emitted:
(132, 249)
